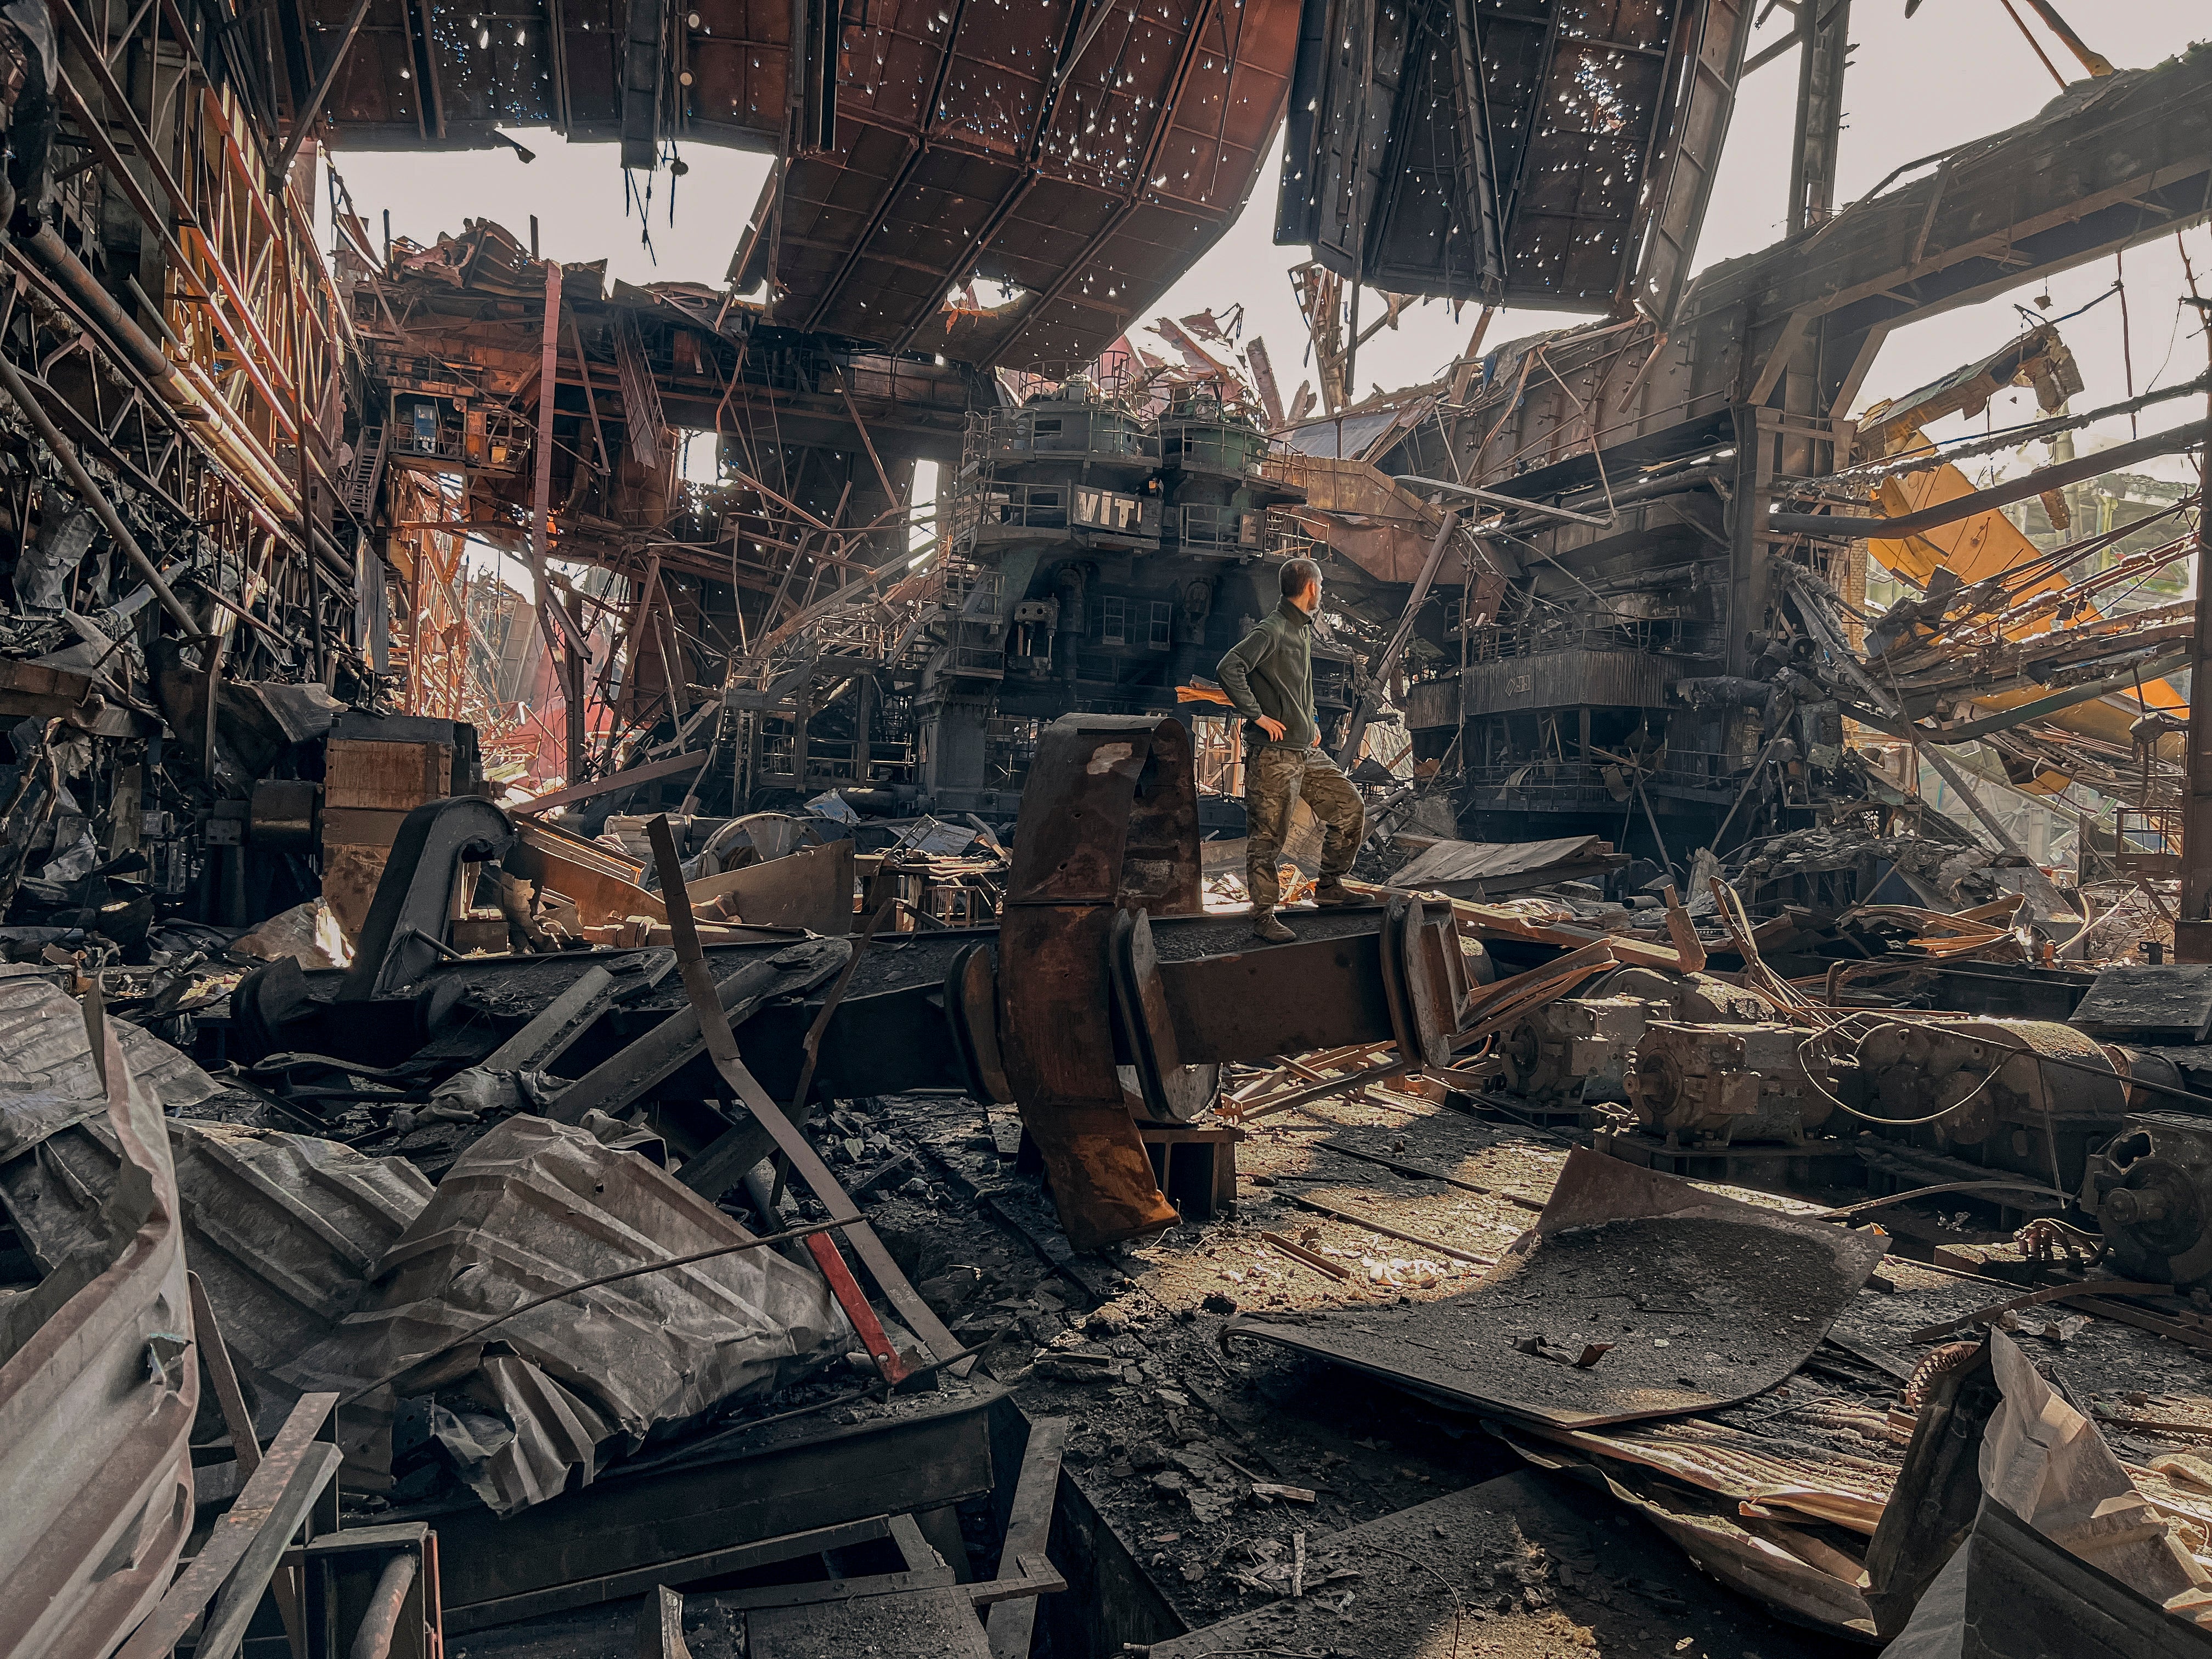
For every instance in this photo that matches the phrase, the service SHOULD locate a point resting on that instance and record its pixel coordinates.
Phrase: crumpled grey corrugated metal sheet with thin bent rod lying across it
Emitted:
(539, 1204)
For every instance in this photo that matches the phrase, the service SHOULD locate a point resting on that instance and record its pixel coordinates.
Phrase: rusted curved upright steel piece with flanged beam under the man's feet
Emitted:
(1096, 1025)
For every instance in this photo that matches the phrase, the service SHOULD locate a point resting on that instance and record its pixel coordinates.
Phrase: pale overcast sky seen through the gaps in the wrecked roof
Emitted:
(1954, 72)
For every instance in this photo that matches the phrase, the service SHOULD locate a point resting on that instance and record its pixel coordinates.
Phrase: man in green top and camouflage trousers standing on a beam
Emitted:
(1271, 682)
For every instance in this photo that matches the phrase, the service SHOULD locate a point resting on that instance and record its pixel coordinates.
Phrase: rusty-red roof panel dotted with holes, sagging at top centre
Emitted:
(1083, 158)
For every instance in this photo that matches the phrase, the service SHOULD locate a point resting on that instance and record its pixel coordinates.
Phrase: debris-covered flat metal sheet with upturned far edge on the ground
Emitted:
(1693, 1297)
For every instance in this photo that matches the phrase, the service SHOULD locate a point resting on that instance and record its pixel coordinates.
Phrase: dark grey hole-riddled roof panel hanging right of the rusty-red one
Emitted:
(1519, 156)
